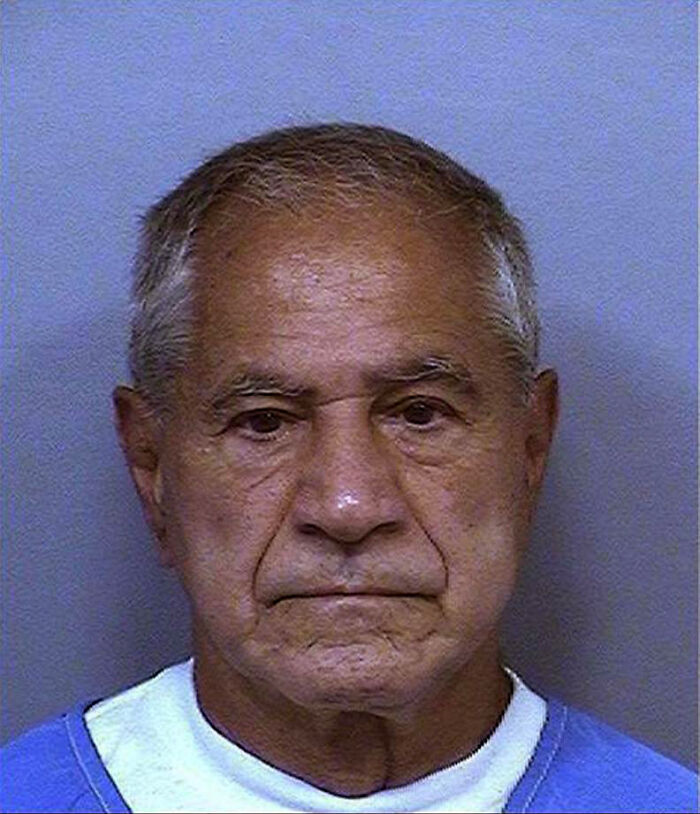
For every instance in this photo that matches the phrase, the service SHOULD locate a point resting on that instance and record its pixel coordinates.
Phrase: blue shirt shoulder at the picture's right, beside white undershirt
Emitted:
(582, 764)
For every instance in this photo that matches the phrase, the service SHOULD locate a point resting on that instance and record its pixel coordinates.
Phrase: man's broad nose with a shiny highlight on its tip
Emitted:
(348, 488)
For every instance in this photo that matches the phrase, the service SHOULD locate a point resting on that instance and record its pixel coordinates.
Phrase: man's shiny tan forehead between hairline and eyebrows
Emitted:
(347, 285)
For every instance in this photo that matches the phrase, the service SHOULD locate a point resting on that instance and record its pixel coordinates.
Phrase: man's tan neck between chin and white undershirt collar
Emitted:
(354, 753)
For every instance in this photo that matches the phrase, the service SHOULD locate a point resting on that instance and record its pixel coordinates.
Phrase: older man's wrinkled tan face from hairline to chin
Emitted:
(346, 483)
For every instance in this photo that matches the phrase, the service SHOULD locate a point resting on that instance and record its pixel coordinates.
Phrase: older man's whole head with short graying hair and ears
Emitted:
(337, 427)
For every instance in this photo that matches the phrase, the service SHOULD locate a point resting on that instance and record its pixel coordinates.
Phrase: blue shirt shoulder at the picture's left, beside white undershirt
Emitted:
(54, 767)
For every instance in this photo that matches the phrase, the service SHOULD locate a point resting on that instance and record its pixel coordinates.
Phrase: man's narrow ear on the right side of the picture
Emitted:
(543, 412)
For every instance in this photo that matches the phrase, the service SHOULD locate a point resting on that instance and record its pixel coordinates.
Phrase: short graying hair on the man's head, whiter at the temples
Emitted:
(291, 167)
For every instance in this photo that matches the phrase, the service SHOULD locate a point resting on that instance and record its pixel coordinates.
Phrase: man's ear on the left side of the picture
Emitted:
(140, 438)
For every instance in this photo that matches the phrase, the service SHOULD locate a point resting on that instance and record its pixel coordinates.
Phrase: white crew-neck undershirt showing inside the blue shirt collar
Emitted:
(164, 756)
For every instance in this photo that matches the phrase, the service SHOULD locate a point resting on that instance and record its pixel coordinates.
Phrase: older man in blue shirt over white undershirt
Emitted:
(338, 431)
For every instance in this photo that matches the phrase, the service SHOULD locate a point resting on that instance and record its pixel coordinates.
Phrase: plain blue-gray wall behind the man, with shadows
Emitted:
(581, 113)
